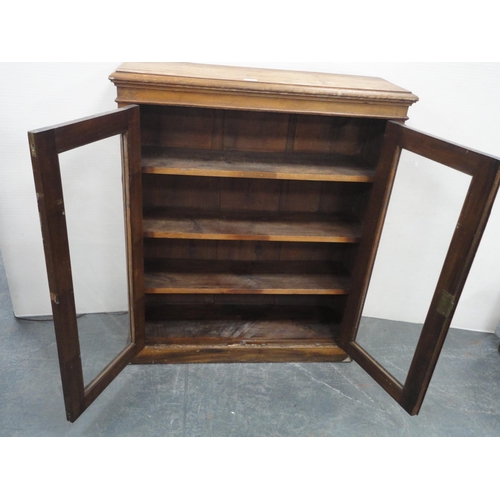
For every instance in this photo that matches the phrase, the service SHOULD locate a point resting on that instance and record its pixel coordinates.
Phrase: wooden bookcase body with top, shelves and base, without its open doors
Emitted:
(253, 207)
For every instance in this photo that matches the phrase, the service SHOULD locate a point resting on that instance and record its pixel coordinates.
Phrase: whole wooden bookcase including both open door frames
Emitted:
(254, 203)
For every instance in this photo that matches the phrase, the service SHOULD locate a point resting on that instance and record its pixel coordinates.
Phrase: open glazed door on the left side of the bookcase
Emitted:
(82, 384)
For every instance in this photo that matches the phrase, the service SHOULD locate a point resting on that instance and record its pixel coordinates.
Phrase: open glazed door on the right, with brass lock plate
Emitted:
(478, 177)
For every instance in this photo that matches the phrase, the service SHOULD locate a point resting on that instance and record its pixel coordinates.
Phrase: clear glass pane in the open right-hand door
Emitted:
(424, 208)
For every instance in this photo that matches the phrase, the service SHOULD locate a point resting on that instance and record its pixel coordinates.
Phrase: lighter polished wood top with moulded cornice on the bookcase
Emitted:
(233, 87)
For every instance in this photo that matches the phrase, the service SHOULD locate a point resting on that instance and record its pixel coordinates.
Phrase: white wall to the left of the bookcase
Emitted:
(37, 95)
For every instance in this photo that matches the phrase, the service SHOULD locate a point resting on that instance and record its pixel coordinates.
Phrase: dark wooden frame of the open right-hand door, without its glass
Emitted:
(485, 180)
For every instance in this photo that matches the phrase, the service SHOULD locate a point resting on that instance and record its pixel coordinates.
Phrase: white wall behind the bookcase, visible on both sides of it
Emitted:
(458, 101)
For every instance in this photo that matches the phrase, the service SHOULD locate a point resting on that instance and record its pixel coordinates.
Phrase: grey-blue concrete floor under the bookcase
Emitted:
(295, 399)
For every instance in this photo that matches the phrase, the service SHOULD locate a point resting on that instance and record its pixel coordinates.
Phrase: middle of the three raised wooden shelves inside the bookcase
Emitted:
(253, 227)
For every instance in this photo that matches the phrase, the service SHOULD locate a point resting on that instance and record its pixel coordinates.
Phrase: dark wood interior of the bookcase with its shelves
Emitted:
(252, 221)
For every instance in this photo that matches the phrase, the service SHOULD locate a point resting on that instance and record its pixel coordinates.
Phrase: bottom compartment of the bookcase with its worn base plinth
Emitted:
(218, 333)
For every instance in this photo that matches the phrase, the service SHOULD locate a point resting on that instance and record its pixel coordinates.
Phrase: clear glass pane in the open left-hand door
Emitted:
(93, 199)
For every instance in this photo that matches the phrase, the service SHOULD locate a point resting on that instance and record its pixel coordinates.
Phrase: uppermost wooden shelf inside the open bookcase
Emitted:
(254, 165)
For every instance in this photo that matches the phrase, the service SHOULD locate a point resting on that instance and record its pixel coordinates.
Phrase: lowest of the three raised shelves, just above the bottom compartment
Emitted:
(229, 277)
